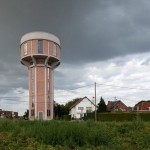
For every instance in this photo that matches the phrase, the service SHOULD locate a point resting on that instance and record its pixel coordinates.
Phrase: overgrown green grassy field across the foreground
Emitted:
(83, 135)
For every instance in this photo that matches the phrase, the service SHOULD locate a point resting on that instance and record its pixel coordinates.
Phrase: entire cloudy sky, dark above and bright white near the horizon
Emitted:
(102, 41)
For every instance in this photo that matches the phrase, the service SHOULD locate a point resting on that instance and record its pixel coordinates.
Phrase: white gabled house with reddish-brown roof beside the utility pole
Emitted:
(80, 107)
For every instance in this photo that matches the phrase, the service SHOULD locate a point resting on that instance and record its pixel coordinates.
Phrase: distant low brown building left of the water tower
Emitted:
(8, 114)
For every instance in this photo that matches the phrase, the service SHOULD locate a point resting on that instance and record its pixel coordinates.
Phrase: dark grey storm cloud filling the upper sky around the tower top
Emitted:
(89, 30)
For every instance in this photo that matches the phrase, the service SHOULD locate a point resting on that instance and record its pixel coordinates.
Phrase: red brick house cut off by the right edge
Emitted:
(142, 106)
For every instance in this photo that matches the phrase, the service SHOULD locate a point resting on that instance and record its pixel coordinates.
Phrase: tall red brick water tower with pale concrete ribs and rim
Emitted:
(40, 52)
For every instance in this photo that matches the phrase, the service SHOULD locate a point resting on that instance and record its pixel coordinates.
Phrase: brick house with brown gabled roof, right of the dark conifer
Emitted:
(118, 105)
